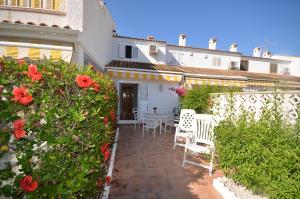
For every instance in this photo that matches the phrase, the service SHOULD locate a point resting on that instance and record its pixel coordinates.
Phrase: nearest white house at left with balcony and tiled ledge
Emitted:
(74, 30)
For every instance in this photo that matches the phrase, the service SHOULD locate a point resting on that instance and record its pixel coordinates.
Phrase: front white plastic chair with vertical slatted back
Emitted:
(201, 140)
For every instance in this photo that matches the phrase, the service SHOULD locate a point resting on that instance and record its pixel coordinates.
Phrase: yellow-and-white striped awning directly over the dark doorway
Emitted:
(146, 76)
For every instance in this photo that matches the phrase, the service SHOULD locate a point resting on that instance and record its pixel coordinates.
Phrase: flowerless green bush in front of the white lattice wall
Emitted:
(262, 155)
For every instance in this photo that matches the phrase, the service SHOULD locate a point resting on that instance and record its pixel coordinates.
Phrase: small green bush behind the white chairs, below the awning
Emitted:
(198, 98)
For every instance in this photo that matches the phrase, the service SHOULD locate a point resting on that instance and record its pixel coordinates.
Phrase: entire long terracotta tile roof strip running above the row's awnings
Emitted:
(202, 71)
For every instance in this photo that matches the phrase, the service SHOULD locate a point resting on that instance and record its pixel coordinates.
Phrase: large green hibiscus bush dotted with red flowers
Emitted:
(56, 125)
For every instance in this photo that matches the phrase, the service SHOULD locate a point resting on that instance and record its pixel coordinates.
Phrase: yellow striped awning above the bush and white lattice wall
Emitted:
(216, 82)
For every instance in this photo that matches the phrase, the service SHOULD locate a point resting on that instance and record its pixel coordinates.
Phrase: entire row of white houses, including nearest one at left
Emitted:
(145, 70)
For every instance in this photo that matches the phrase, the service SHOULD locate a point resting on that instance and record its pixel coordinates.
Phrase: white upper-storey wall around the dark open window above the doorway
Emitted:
(143, 50)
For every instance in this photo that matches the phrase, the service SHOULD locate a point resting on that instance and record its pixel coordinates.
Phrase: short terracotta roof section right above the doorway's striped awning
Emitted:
(142, 65)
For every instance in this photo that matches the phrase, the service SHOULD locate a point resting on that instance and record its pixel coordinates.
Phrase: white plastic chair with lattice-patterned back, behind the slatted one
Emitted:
(185, 126)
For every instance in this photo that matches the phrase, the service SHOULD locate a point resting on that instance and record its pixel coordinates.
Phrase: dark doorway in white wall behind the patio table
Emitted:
(128, 100)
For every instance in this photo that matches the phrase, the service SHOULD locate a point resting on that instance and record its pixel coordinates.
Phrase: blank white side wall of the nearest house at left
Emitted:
(96, 36)
